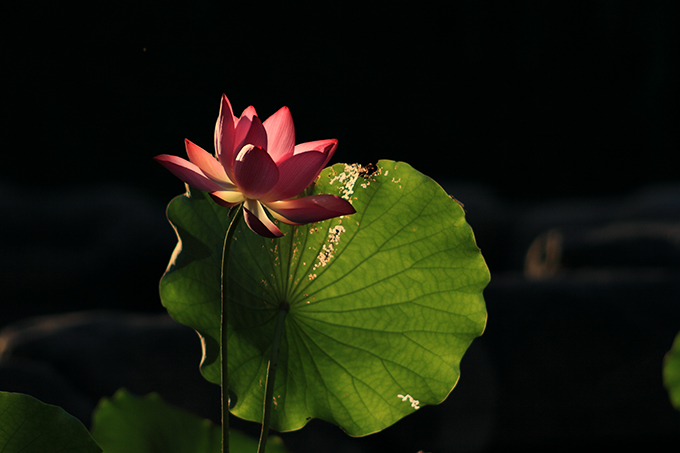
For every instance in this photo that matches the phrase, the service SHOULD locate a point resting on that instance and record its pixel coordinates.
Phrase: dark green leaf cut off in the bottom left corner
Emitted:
(28, 425)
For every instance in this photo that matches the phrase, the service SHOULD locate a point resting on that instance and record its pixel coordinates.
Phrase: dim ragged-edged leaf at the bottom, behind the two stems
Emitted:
(126, 423)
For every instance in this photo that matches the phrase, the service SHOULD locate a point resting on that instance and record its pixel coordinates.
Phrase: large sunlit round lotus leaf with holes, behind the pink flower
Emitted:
(382, 304)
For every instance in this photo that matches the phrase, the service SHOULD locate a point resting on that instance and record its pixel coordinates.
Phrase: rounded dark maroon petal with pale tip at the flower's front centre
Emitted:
(255, 173)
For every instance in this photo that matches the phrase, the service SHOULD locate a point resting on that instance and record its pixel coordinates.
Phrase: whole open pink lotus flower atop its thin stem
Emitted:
(259, 165)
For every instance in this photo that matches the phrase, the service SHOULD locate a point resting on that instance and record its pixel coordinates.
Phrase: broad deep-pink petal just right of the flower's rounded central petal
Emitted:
(295, 174)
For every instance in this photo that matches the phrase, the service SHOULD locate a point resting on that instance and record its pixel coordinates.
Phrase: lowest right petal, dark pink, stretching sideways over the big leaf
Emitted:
(310, 209)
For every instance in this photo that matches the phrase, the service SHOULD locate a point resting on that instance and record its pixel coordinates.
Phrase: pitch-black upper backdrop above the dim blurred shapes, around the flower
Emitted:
(532, 98)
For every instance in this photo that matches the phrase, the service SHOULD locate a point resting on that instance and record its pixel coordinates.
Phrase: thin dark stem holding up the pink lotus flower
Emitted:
(223, 327)
